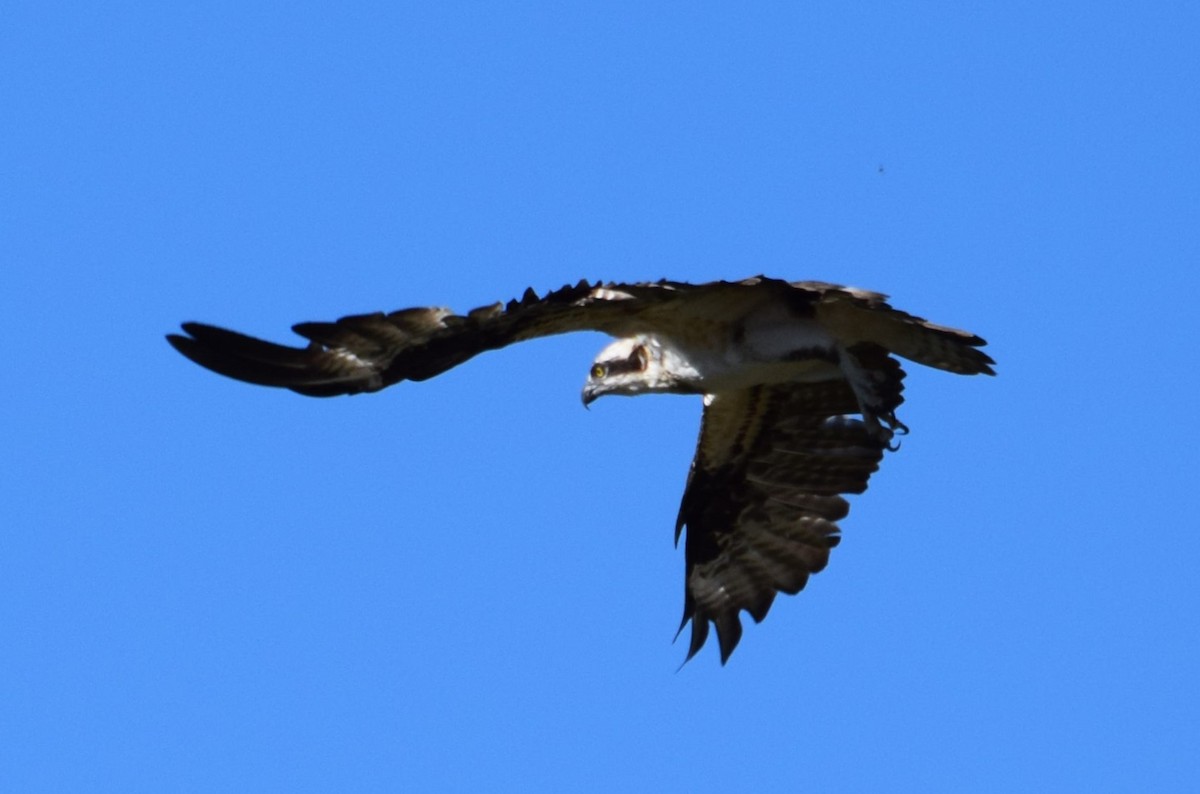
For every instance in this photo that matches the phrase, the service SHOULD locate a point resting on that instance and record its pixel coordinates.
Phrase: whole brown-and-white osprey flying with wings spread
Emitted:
(799, 381)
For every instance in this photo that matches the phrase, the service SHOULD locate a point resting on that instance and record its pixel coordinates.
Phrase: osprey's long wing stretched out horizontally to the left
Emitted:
(371, 352)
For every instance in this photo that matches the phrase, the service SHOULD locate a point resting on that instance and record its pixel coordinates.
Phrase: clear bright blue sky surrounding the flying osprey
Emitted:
(471, 584)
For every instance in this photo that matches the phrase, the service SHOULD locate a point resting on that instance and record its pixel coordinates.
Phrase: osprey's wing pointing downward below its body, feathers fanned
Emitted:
(764, 495)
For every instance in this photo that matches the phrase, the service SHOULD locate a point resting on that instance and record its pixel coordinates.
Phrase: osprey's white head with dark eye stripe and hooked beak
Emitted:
(634, 366)
